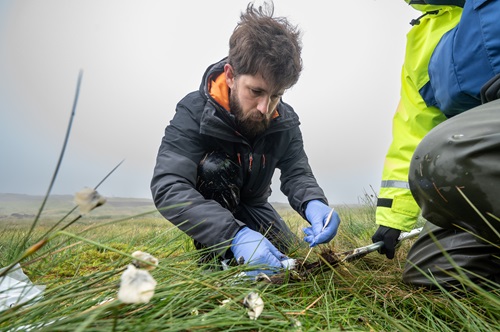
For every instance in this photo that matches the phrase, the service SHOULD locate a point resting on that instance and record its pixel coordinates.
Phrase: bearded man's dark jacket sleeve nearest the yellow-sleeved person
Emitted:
(297, 180)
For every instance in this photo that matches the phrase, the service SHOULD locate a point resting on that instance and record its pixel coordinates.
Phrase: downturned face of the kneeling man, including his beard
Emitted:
(253, 102)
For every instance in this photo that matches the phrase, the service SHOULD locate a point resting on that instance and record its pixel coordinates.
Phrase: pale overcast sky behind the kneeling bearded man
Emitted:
(139, 58)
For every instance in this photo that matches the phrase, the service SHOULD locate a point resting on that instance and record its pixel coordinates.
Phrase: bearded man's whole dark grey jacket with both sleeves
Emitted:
(201, 125)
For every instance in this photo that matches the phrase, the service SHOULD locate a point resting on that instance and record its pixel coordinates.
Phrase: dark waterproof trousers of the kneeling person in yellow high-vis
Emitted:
(455, 178)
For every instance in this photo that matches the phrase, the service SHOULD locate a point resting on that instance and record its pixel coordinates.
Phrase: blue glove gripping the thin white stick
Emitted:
(317, 213)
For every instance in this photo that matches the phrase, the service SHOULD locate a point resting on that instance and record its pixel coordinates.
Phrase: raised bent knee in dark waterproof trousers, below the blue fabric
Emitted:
(454, 172)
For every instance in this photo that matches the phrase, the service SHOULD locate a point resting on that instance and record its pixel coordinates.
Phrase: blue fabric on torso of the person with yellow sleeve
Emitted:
(465, 59)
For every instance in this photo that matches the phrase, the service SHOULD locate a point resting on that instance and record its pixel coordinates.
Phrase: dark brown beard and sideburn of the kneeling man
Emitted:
(249, 124)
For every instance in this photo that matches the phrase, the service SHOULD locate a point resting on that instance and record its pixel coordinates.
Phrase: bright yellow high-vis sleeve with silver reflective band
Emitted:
(413, 119)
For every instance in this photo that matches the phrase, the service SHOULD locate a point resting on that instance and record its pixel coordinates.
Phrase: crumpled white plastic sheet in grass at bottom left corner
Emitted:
(16, 288)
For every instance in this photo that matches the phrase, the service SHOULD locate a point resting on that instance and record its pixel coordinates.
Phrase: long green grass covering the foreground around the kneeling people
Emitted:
(81, 267)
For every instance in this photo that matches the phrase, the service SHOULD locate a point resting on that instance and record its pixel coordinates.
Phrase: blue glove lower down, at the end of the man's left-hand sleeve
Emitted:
(256, 249)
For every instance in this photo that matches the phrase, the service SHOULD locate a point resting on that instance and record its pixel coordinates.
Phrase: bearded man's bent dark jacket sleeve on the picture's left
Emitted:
(173, 185)
